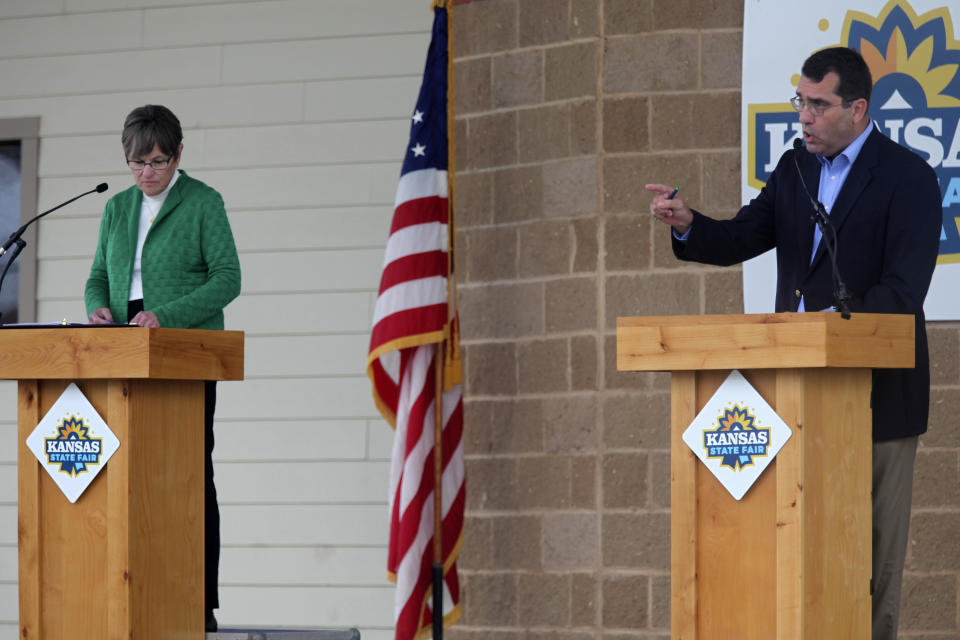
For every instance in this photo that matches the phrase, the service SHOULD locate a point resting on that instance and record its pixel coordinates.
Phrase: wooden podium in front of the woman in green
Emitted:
(125, 560)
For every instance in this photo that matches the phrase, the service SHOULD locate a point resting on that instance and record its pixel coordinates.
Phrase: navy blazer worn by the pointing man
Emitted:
(888, 219)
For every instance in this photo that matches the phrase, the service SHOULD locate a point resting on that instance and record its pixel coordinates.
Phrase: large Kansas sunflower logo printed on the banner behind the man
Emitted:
(915, 63)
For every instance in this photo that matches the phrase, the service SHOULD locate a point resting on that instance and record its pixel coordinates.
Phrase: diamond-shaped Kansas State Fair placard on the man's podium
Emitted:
(737, 434)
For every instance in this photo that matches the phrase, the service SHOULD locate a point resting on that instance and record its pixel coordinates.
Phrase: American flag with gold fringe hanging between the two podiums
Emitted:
(412, 319)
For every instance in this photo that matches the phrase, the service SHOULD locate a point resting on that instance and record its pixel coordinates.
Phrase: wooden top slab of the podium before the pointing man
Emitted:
(765, 341)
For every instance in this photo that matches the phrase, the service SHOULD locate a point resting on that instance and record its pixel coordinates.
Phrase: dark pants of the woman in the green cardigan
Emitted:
(211, 521)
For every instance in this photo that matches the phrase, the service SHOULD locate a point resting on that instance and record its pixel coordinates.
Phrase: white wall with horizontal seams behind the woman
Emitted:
(297, 111)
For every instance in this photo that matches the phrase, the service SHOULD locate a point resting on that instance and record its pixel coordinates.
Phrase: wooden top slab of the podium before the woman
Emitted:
(71, 353)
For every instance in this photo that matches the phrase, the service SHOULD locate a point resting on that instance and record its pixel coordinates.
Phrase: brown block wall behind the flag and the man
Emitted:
(565, 108)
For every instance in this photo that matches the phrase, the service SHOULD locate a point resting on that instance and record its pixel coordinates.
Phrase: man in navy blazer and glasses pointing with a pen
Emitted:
(884, 202)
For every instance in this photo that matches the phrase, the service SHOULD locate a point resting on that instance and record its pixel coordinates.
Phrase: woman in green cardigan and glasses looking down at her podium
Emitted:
(166, 258)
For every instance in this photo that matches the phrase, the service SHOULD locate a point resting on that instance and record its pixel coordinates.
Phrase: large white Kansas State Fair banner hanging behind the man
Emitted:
(913, 49)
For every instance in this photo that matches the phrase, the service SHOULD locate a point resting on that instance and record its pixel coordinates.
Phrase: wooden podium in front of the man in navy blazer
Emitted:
(791, 560)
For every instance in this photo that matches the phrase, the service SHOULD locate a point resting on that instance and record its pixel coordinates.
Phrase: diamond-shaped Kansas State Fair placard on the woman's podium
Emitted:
(72, 442)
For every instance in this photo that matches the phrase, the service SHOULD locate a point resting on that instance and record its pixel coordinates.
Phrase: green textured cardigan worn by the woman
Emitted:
(189, 265)
